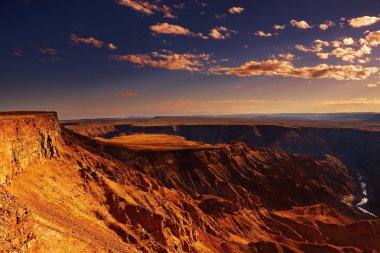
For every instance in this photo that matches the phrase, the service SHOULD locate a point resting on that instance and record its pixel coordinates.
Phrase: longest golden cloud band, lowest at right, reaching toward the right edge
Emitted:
(286, 69)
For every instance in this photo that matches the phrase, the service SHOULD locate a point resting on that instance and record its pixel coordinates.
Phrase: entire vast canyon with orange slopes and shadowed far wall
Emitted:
(223, 188)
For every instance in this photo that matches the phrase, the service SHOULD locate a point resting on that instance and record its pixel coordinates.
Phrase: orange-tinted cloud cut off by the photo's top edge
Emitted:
(147, 8)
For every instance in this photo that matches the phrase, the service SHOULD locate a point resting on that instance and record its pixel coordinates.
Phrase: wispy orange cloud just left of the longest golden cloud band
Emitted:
(166, 59)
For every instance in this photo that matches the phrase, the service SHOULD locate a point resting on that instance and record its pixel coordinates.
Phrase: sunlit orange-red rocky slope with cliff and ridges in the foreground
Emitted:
(86, 196)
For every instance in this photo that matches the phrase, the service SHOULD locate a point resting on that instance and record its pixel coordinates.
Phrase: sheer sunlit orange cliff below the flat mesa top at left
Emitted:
(26, 139)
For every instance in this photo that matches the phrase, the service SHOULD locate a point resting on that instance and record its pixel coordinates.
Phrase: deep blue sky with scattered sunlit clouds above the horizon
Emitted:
(120, 58)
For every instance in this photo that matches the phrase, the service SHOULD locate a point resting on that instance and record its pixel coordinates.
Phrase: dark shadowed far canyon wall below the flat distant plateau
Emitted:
(358, 149)
